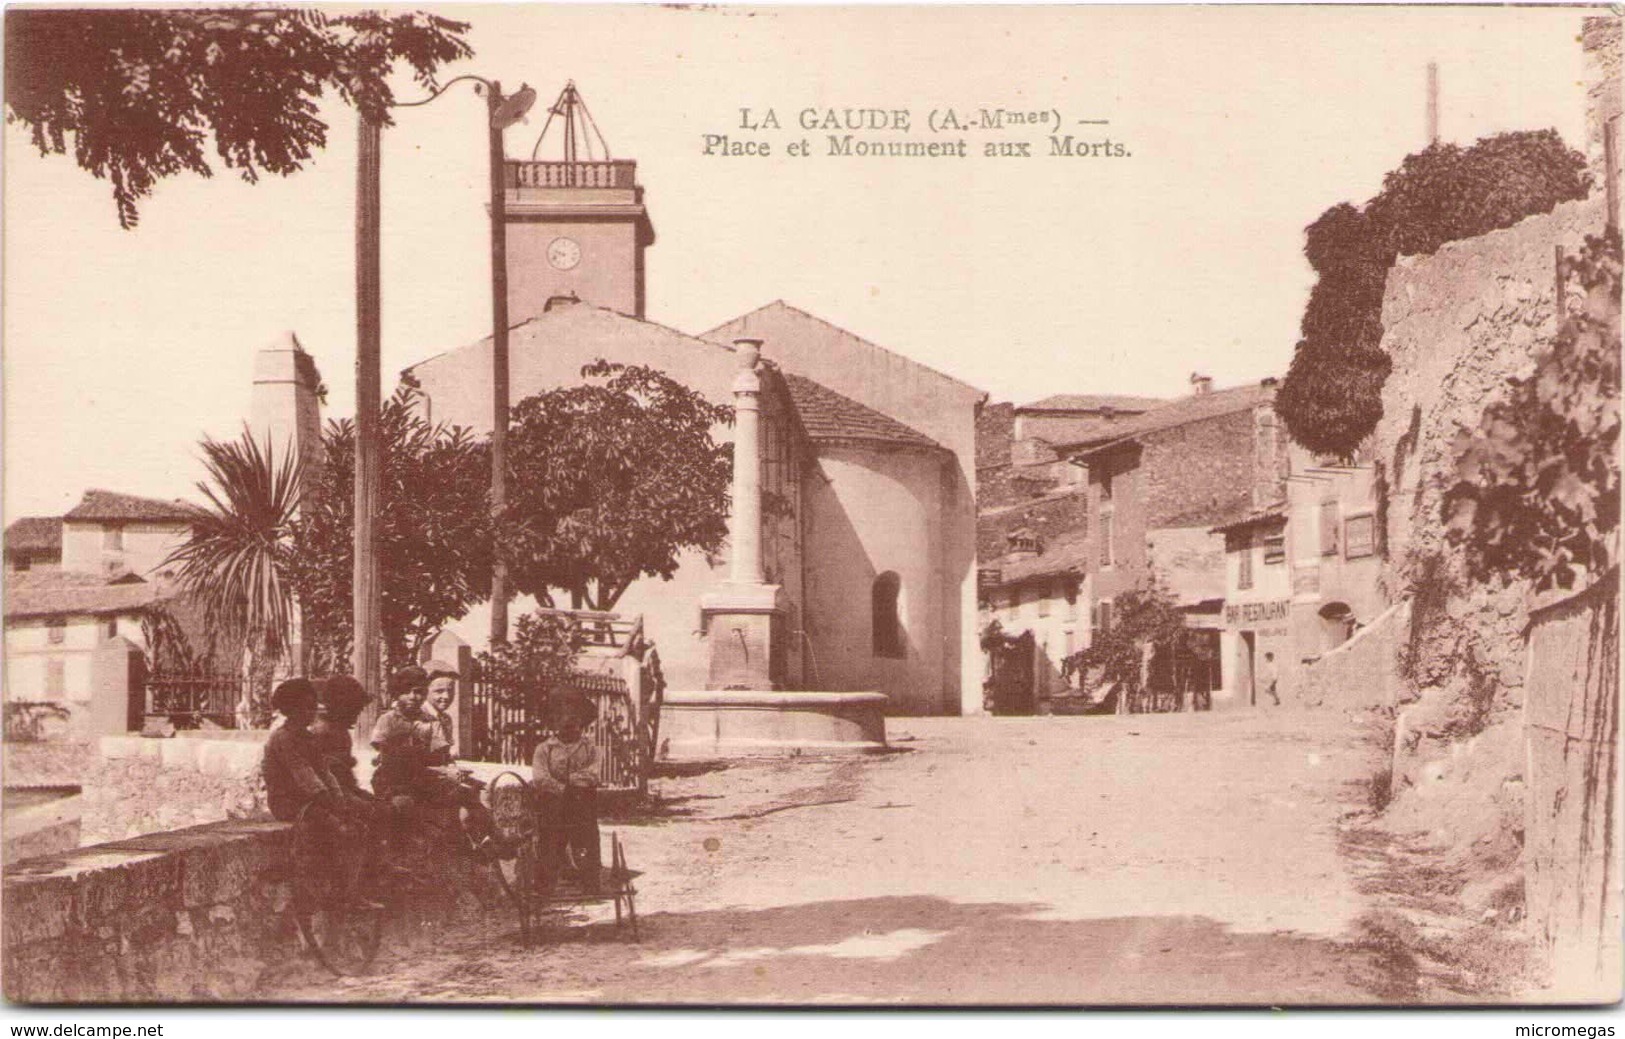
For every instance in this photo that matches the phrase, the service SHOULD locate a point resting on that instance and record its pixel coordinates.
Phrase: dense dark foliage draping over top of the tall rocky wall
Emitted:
(1333, 394)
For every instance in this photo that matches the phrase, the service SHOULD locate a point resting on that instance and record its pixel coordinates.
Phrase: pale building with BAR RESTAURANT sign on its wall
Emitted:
(1301, 578)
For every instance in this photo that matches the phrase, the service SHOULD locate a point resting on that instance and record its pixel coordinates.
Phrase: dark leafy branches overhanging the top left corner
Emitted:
(142, 90)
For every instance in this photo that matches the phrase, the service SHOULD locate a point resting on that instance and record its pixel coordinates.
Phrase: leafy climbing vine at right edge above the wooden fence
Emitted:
(1538, 493)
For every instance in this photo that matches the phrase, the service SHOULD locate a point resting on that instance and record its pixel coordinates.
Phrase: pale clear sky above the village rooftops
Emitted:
(1023, 277)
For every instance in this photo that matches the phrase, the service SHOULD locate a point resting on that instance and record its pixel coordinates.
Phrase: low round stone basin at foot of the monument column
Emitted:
(704, 726)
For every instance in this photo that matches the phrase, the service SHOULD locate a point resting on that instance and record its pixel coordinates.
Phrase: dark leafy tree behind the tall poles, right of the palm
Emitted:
(433, 529)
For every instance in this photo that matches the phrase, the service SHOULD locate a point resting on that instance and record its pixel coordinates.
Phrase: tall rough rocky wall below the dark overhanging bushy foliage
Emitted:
(1458, 324)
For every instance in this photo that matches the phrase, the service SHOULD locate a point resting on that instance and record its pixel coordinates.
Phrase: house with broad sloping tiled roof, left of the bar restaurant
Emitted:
(1155, 493)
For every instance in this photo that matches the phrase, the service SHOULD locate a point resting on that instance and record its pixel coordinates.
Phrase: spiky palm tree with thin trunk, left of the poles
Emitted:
(235, 562)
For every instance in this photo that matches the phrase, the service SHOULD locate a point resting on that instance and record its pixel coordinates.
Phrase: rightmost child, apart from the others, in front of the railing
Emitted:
(565, 775)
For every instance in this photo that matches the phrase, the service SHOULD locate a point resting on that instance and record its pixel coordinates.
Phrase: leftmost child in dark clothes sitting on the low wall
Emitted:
(300, 788)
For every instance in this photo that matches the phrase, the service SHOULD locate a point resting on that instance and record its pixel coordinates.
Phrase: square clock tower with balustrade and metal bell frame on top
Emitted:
(576, 225)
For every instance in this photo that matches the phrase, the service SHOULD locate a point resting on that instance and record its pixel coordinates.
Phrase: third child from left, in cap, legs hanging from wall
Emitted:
(407, 772)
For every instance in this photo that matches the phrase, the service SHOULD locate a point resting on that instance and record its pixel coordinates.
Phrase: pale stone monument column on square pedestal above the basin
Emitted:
(743, 617)
